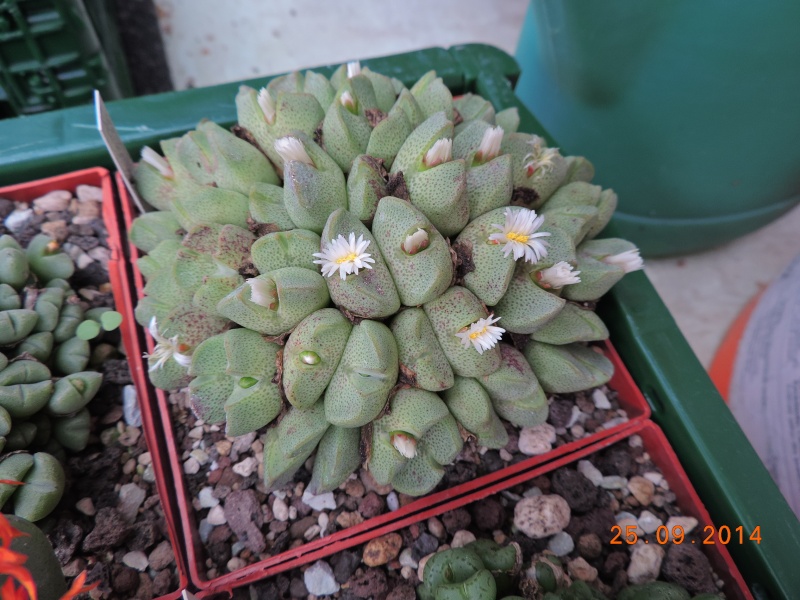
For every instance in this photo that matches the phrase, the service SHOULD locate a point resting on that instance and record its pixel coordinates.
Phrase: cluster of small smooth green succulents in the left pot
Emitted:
(44, 382)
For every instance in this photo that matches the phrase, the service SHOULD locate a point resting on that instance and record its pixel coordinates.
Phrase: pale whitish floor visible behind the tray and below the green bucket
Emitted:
(206, 45)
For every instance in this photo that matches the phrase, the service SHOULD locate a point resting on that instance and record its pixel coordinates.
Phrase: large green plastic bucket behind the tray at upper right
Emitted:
(688, 109)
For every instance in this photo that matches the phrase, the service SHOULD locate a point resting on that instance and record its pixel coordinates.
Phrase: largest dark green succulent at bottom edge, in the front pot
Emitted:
(481, 570)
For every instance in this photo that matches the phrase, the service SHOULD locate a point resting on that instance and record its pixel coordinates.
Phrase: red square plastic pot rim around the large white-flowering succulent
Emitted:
(630, 399)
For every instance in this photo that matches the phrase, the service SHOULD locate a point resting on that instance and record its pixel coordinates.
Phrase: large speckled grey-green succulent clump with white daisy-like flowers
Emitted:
(346, 263)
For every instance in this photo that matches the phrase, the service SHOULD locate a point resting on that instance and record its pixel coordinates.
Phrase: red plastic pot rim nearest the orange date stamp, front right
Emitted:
(662, 455)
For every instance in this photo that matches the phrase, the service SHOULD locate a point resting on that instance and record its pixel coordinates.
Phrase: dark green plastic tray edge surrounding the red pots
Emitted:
(724, 468)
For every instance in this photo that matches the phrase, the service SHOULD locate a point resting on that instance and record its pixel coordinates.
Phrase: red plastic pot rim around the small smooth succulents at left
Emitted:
(122, 291)
